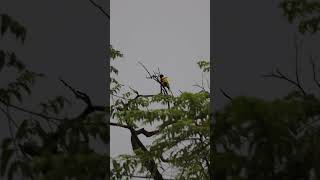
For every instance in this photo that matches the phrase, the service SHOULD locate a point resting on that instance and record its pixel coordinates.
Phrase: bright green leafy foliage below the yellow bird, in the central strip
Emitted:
(180, 135)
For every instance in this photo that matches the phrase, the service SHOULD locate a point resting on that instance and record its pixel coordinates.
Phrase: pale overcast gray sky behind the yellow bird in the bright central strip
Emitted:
(169, 34)
